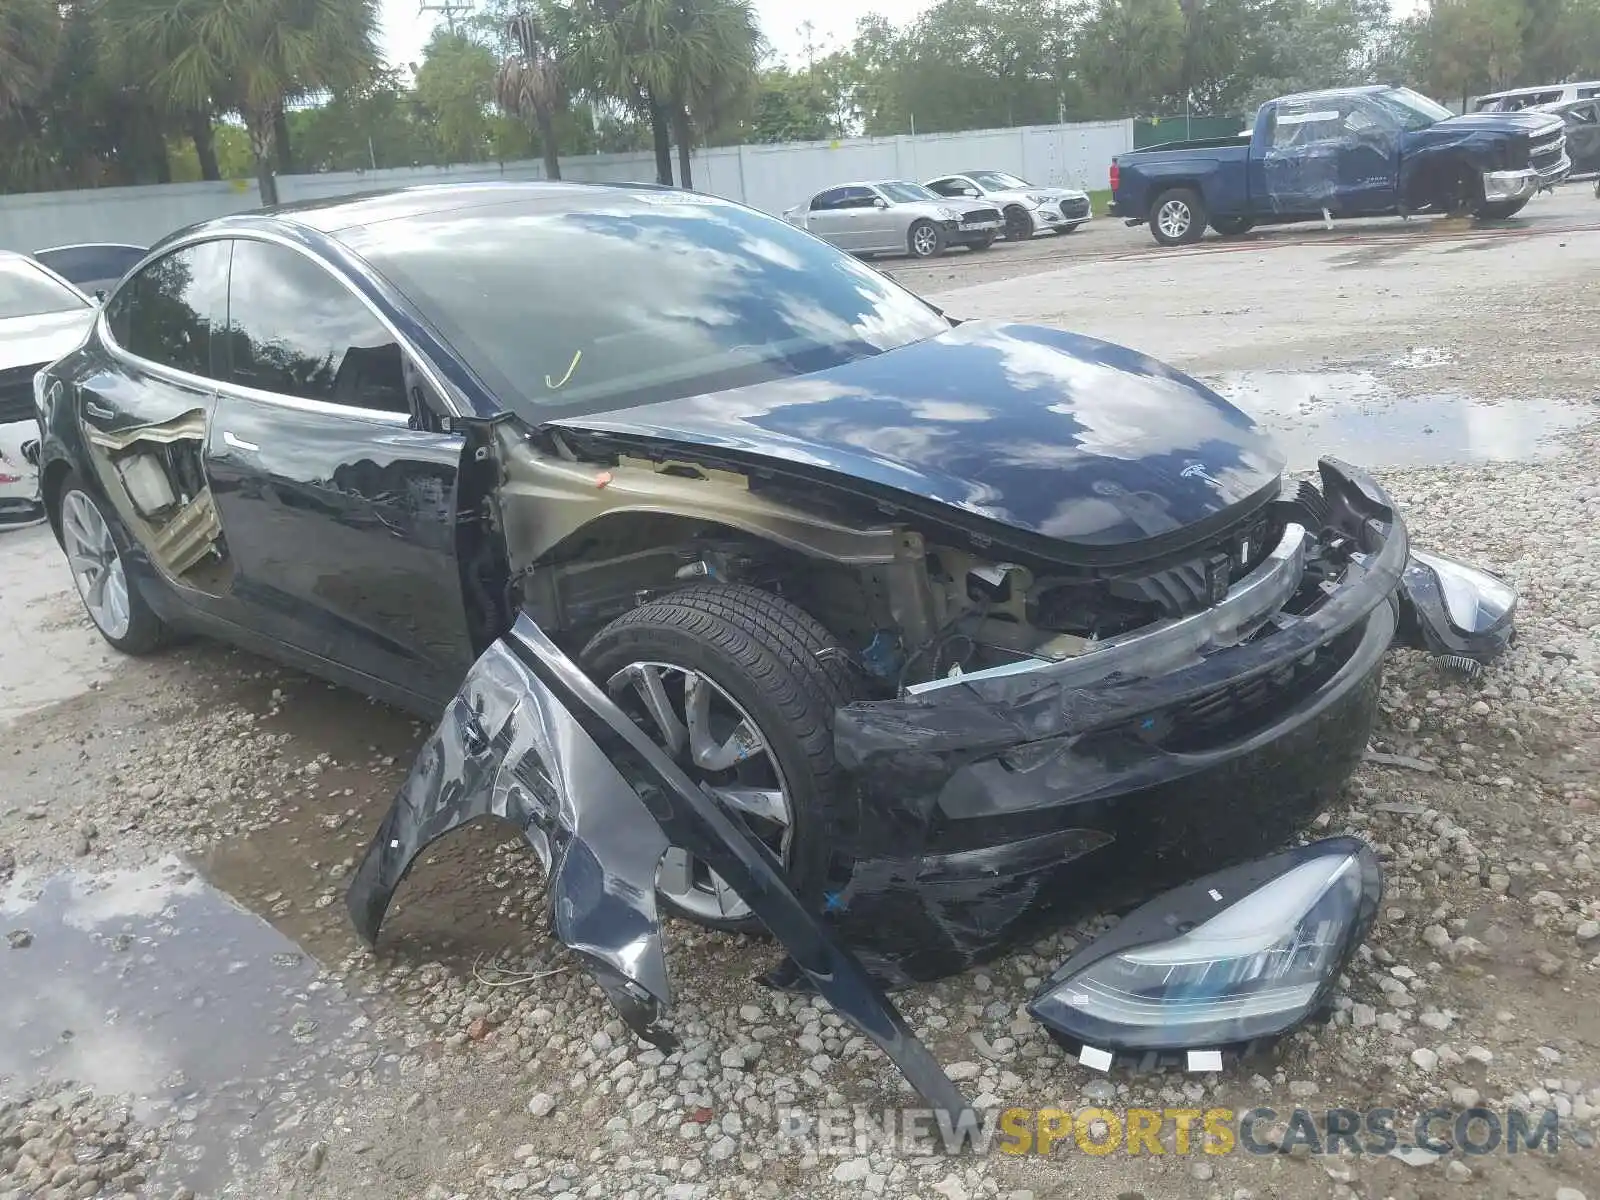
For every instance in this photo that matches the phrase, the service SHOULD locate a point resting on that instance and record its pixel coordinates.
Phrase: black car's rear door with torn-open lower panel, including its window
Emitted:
(145, 412)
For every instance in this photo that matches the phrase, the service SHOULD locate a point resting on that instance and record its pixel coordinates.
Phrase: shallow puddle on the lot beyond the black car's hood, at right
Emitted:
(1356, 417)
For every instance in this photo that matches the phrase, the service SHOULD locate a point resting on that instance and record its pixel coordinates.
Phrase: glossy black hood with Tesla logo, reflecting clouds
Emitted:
(1041, 431)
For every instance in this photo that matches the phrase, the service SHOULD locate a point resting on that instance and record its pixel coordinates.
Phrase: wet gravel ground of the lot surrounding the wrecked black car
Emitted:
(470, 1060)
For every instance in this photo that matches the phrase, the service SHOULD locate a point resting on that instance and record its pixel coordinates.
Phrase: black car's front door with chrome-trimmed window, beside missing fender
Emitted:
(337, 494)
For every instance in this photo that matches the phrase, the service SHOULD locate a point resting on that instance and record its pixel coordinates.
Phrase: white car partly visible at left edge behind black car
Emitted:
(30, 342)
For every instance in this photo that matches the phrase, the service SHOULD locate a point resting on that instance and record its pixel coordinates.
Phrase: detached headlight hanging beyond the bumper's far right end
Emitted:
(1455, 609)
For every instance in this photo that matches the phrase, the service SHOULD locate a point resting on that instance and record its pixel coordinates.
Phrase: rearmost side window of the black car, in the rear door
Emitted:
(167, 313)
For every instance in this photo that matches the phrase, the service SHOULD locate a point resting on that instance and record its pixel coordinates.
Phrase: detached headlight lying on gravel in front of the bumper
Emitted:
(1244, 954)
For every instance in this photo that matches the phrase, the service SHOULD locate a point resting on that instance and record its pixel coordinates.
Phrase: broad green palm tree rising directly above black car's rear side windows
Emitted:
(250, 57)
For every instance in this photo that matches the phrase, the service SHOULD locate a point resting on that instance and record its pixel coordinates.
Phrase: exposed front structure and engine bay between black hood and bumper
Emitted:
(911, 604)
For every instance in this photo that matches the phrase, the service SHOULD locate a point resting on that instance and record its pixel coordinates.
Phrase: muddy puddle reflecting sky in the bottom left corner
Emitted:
(153, 985)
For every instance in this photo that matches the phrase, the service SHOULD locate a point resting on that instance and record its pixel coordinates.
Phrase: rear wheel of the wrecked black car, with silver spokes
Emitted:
(98, 561)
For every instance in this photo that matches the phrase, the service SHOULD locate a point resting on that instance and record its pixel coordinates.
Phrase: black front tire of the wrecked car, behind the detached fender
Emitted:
(788, 676)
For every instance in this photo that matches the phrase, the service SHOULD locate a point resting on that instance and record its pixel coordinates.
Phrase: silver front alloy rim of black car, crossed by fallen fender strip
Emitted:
(722, 750)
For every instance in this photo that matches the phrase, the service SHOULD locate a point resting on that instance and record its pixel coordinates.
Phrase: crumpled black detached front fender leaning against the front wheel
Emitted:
(530, 740)
